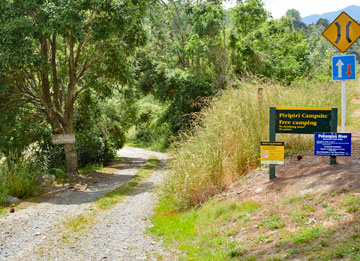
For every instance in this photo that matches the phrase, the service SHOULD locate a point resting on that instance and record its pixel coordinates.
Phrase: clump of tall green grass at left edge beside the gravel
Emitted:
(19, 177)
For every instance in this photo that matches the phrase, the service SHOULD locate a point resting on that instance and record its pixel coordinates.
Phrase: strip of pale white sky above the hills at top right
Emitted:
(278, 8)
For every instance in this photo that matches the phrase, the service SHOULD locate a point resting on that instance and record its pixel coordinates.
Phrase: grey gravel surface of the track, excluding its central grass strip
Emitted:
(36, 232)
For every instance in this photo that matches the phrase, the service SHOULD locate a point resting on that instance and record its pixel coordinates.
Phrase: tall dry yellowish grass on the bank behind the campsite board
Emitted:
(226, 141)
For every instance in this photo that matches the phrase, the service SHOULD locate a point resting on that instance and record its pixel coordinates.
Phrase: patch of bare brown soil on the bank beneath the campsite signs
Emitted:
(311, 174)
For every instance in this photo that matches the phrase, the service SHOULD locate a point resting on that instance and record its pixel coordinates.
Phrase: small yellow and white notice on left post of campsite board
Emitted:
(272, 152)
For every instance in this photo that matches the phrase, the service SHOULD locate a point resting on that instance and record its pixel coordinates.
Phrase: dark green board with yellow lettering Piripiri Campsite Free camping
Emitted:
(302, 120)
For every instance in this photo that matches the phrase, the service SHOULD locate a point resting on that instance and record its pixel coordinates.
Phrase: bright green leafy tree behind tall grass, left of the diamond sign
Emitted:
(274, 50)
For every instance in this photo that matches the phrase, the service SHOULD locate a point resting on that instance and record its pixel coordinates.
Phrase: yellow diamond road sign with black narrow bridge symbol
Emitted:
(342, 32)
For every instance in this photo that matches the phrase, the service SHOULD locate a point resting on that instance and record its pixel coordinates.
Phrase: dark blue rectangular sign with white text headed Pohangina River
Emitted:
(332, 144)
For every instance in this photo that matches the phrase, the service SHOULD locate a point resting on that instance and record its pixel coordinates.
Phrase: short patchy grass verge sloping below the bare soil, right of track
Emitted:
(228, 230)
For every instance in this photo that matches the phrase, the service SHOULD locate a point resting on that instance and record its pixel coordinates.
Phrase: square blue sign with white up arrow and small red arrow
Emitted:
(343, 68)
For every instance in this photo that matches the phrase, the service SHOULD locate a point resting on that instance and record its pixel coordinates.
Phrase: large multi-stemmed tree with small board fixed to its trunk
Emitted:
(52, 51)
